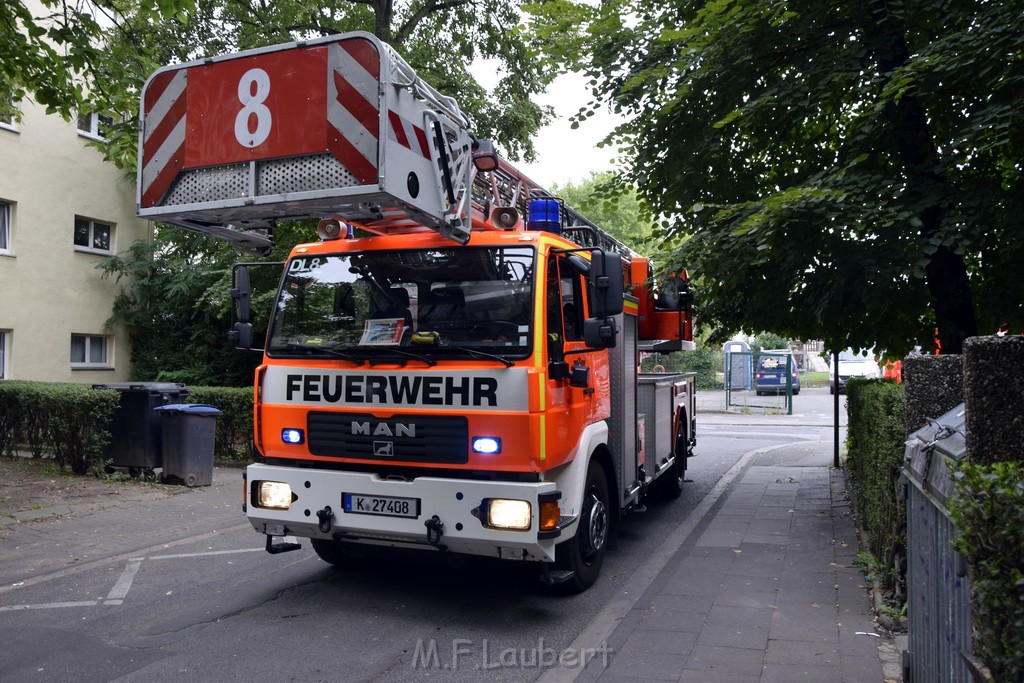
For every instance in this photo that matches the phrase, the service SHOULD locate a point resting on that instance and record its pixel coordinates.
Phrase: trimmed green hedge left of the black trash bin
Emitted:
(70, 421)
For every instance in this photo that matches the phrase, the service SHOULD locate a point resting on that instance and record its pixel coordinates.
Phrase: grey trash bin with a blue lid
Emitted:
(189, 436)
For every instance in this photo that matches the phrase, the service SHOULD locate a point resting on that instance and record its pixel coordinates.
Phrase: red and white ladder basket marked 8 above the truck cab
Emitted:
(336, 126)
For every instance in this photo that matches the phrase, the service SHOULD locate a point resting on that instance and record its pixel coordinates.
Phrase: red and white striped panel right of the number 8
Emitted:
(353, 110)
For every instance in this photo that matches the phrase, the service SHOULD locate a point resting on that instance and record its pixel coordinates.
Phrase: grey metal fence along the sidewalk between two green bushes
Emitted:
(938, 589)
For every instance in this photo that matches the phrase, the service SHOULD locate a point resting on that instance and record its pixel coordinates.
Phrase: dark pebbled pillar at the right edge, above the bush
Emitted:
(994, 389)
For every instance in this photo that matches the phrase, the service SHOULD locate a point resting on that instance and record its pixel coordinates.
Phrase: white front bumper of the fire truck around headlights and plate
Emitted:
(458, 504)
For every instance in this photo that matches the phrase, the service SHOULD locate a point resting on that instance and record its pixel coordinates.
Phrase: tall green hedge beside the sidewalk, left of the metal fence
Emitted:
(876, 444)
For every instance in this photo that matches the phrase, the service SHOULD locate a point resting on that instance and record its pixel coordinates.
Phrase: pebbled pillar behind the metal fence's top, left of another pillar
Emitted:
(933, 386)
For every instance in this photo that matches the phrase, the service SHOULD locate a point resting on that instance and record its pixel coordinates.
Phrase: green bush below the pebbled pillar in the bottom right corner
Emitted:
(989, 511)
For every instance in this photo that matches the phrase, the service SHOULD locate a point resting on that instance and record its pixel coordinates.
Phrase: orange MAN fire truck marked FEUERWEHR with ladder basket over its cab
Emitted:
(454, 367)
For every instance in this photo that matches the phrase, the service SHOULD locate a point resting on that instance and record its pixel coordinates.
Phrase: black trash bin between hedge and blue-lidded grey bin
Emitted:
(136, 441)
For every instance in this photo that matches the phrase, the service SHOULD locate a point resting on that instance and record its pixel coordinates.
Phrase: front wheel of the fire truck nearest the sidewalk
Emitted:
(584, 553)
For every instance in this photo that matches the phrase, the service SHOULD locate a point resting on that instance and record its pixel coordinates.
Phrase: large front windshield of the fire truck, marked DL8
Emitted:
(458, 303)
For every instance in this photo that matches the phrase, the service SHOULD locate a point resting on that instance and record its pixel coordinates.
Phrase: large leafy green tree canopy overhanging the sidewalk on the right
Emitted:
(849, 172)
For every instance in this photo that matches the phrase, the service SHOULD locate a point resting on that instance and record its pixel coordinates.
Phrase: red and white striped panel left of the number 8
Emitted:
(164, 134)
